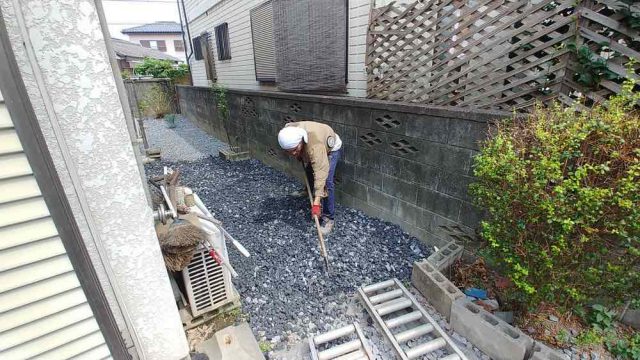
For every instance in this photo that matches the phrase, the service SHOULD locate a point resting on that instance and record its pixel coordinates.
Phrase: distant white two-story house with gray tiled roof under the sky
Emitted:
(164, 36)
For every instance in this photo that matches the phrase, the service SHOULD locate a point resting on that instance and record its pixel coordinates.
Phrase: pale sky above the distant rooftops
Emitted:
(123, 14)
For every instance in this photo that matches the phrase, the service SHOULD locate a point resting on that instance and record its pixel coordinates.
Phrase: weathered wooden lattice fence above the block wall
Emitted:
(497, 54)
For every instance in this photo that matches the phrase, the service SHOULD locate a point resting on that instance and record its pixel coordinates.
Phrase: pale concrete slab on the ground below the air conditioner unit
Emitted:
(232, 343)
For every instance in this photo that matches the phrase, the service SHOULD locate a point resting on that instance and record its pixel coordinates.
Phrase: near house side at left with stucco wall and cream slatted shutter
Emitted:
(81, 271)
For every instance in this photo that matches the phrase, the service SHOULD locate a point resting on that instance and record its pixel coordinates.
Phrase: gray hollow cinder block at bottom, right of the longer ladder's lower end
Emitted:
(494, 337)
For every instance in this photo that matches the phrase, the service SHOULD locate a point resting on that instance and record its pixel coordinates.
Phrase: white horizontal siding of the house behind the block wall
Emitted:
(239, 71)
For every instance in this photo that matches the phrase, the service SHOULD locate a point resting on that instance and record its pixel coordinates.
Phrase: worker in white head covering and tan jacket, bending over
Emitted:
(317, 146)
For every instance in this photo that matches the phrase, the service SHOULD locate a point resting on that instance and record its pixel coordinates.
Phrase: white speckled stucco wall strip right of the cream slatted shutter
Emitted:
(63, 60)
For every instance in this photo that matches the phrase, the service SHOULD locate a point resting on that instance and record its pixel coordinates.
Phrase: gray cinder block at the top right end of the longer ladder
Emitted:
(435, 287)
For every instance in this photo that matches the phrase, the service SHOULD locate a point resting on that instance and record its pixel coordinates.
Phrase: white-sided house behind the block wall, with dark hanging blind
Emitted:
(235, 44)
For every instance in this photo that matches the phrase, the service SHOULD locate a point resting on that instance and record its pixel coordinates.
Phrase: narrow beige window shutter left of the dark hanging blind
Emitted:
(264, 52)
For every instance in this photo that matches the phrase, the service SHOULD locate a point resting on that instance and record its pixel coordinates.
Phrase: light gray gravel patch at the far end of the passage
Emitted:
(185, 142)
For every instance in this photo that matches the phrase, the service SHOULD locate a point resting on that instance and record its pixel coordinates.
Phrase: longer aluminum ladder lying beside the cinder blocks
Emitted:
(402, 319)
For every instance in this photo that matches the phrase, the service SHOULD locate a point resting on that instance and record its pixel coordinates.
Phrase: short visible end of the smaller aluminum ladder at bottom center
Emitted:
(355, 349)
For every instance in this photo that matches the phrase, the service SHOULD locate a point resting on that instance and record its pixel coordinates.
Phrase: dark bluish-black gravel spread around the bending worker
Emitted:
(283, 284)
